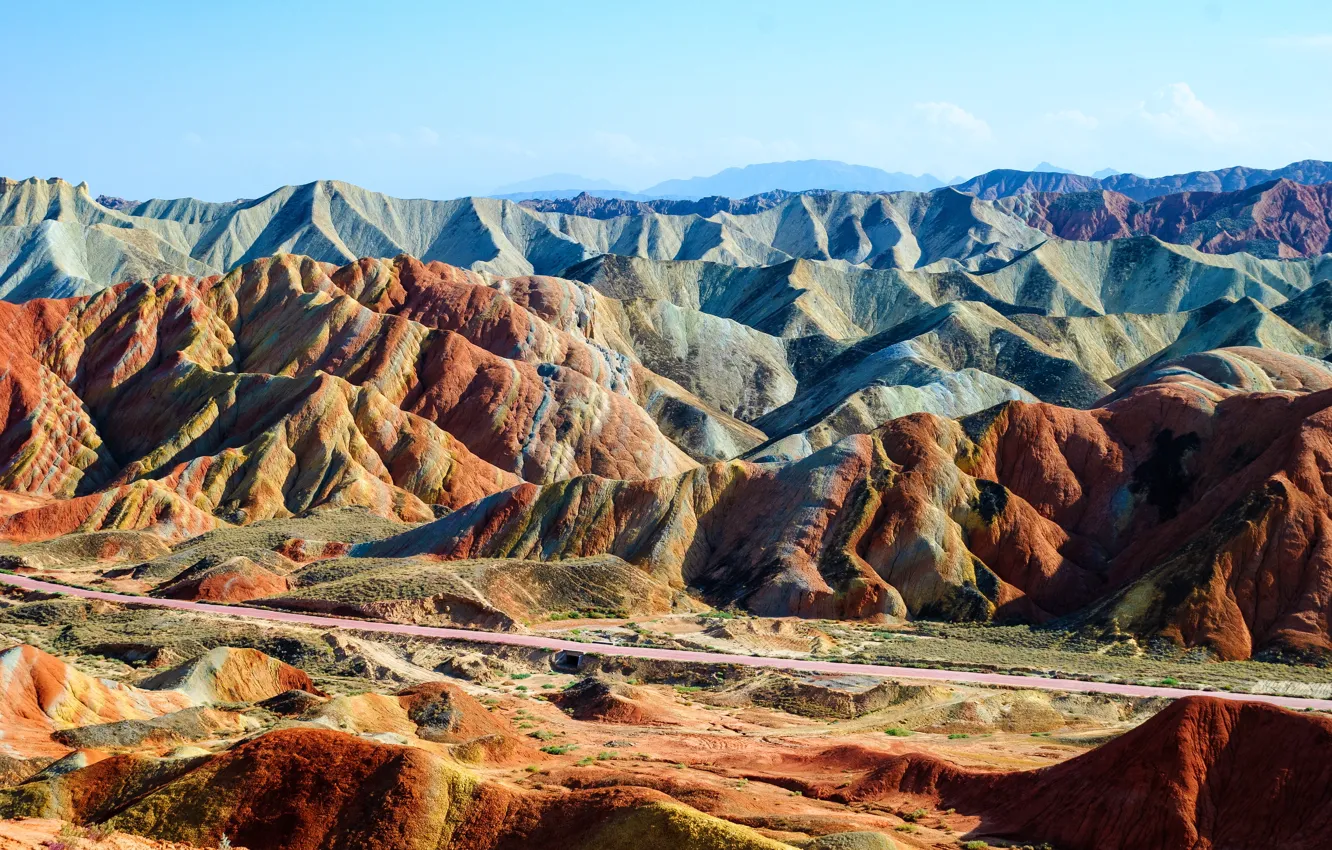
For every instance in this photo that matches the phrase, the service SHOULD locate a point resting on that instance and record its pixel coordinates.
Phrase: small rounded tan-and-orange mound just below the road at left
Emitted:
(230, 675)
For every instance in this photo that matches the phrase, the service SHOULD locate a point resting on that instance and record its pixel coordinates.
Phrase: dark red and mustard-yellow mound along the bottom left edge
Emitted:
(311, 789)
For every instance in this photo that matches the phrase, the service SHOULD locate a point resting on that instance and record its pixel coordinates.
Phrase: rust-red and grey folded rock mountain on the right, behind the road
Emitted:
(1186, 510)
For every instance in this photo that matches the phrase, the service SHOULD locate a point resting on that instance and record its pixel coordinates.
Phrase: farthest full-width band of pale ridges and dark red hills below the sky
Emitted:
(58, 240)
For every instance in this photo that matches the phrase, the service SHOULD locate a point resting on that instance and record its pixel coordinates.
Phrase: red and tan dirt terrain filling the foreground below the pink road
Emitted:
(708, 756)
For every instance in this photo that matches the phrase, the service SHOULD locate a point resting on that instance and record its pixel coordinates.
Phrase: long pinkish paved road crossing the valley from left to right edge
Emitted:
(647, 652)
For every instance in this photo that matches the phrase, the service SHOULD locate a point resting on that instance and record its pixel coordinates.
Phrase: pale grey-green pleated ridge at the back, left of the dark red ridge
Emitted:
(58, 240)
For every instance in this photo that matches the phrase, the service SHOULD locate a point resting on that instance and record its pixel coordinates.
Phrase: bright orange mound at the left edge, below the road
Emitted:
(41, 695)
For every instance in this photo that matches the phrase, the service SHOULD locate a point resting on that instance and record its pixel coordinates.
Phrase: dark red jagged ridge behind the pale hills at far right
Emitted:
(1279, 219)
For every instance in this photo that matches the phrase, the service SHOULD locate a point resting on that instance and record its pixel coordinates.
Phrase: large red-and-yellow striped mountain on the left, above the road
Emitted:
(271, 391)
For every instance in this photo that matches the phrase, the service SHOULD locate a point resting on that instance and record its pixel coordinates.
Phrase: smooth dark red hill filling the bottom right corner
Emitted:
(1203, 775)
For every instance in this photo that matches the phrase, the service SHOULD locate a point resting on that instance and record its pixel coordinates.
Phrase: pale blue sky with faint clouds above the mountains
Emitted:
(439, 99)
